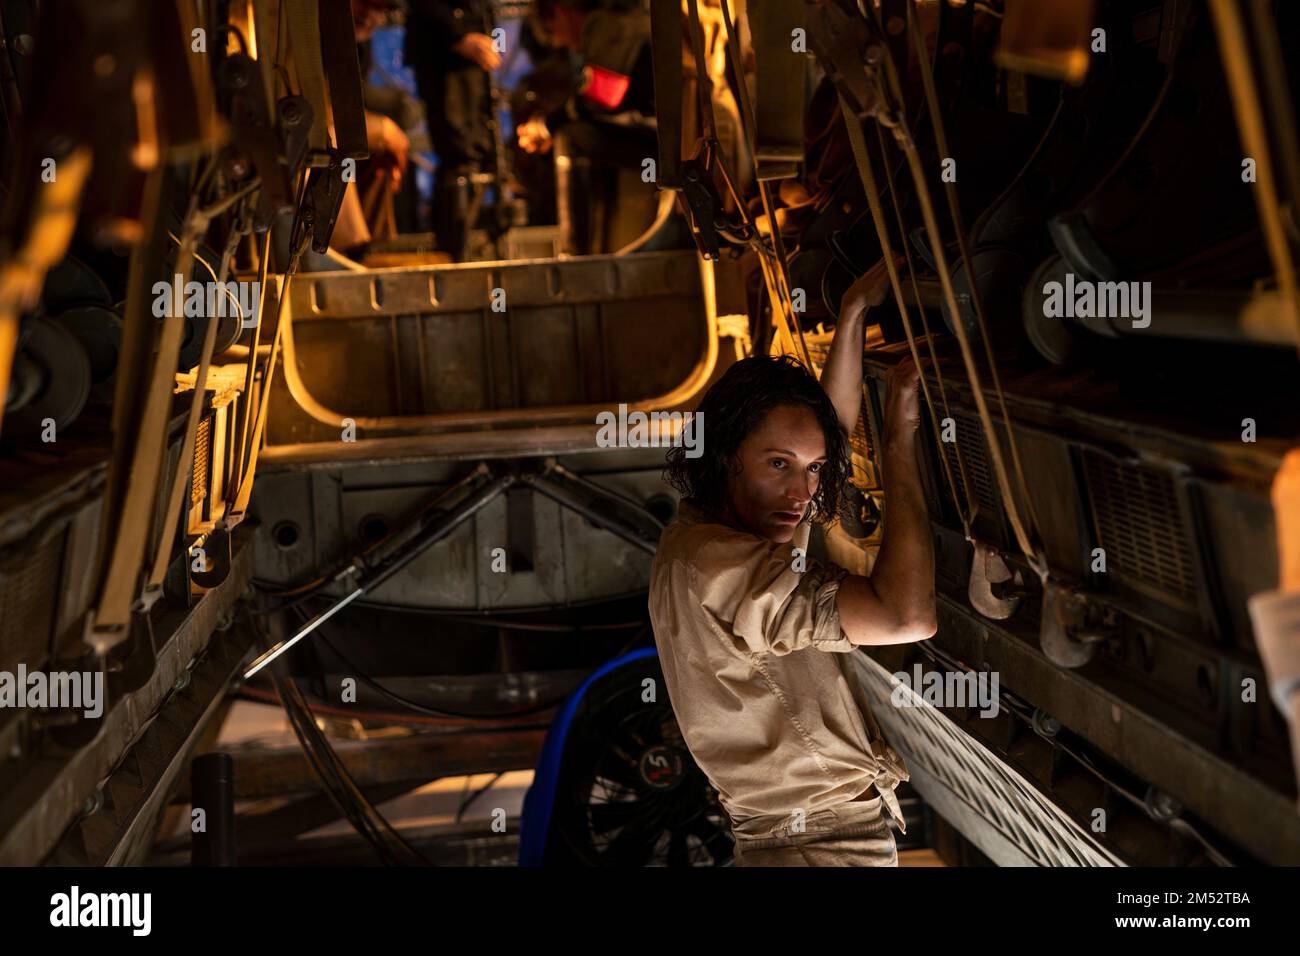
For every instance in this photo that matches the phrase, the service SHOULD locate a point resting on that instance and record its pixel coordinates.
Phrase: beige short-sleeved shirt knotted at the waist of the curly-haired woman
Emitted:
(760, 674)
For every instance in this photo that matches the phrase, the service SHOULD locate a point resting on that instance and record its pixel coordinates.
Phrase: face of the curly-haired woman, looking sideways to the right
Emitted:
(781, 464)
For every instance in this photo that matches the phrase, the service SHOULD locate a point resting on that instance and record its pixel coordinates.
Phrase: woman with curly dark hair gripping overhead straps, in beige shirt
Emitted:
(755, 635)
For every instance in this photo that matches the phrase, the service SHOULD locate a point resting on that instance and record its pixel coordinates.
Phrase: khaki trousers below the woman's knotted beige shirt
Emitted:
(856, 834)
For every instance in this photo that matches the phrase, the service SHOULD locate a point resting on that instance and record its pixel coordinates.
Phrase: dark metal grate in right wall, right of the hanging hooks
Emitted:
(1141, 525)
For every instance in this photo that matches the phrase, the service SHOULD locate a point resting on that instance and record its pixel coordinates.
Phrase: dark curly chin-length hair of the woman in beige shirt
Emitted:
(733, 408)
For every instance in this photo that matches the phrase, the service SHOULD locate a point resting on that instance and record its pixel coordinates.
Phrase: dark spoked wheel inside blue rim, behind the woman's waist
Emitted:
(630, 793)
